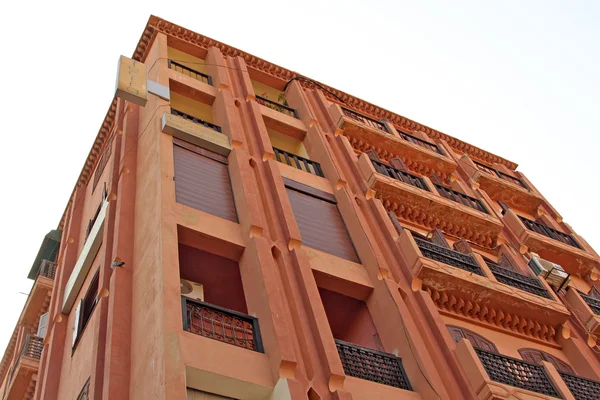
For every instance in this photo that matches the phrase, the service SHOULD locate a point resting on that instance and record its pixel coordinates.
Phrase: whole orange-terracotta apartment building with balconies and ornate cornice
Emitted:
(253, 234)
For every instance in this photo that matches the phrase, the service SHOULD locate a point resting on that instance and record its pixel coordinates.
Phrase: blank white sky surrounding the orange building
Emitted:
(518, 78)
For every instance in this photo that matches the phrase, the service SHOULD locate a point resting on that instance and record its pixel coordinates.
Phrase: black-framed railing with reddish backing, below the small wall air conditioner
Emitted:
(221, 324)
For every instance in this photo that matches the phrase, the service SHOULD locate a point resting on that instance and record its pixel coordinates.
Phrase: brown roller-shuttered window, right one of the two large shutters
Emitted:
(320, 223)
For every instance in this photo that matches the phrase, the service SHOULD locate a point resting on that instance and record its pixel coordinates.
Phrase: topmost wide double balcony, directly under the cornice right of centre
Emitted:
(365, 133)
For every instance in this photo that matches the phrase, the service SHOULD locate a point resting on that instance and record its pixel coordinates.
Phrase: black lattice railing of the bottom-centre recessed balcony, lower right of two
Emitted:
(372, 365)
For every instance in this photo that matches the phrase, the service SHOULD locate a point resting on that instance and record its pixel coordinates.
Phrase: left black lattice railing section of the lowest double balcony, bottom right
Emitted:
(517, 373)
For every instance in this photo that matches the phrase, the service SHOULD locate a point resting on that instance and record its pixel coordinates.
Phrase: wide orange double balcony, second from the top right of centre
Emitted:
(412, 200)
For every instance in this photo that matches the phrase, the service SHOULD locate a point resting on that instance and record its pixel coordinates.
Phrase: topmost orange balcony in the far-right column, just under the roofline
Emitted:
(502, 187)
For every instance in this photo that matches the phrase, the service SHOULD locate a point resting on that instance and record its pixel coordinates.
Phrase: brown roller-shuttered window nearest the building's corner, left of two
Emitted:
(202, 180)
